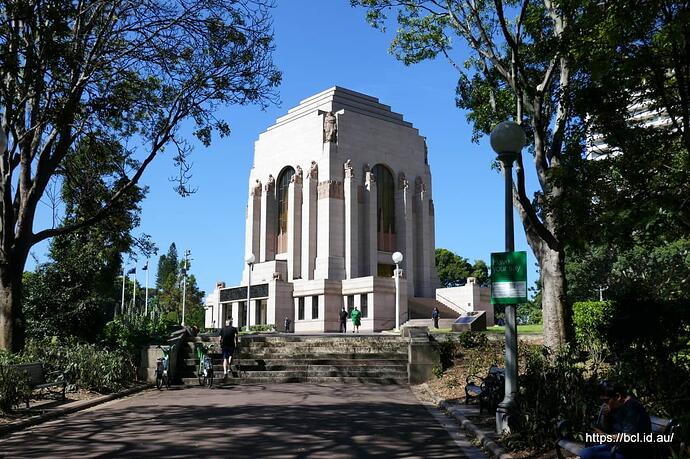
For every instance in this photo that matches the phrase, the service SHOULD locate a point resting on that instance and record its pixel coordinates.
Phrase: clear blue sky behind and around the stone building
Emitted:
(320, 44)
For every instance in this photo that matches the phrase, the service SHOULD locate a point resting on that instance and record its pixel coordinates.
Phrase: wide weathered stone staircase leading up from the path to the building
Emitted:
(323, 359)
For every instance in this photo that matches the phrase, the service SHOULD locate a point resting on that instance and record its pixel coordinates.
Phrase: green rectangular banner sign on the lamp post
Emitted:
(508, 277)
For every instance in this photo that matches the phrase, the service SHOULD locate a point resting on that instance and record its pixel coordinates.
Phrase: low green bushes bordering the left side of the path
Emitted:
(82, 365)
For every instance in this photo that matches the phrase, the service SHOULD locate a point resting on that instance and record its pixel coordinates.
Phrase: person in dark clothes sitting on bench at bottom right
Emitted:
(620, 414)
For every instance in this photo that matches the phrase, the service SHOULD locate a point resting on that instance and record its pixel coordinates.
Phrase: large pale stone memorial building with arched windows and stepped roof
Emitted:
(338, 185)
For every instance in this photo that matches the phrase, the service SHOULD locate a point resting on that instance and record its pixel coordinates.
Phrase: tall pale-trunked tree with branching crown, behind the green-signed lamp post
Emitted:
(521, 67)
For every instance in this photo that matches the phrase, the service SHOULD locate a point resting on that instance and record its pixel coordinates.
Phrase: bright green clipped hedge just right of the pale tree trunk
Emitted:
(592, 321)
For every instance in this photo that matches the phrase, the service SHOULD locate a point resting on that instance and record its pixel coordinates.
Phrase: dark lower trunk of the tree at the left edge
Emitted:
(12, 329)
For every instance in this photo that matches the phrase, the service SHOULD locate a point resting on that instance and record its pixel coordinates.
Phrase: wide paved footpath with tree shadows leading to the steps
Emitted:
(287, 420)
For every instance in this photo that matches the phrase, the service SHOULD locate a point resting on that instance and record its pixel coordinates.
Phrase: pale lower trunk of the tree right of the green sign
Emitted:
(555, 311)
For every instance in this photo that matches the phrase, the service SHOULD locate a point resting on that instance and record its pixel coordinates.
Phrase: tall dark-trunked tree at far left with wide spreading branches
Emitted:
(116, 70)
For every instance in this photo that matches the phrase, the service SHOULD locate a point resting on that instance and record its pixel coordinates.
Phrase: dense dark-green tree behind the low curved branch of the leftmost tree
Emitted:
(75, 293)
